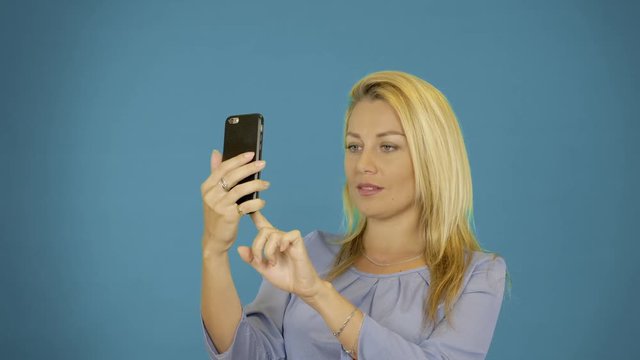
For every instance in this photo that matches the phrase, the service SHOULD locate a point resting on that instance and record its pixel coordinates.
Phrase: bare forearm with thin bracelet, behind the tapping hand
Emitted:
(335, 310)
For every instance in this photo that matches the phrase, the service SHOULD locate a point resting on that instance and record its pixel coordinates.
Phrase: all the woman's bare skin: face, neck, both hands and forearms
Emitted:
(285, 263)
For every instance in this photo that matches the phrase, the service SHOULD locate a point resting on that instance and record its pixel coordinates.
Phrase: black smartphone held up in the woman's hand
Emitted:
(243, 133)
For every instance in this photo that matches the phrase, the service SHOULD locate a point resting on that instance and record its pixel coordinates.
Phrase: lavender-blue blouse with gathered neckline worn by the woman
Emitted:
(279, 325)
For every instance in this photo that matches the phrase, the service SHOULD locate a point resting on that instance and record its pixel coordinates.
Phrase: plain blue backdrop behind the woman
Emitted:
(109, 112)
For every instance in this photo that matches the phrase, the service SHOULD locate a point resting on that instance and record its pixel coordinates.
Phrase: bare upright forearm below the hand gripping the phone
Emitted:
(220, 305)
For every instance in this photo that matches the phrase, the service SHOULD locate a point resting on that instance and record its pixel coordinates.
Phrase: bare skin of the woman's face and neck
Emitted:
(378, 153)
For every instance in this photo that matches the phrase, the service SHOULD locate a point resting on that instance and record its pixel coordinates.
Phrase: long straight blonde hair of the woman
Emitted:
(443, 188)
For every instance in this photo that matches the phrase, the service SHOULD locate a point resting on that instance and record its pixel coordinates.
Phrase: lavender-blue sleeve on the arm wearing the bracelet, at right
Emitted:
(469, 335)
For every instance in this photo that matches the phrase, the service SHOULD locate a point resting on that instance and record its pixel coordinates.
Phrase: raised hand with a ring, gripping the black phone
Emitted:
(221, 214)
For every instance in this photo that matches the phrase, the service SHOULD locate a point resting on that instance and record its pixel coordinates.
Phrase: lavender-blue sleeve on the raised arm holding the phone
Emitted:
(259, 332)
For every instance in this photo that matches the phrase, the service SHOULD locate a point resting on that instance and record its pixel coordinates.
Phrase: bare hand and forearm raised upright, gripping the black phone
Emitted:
(220, 305)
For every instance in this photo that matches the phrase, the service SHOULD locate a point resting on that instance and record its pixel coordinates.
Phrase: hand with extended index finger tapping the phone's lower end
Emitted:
(281, 258)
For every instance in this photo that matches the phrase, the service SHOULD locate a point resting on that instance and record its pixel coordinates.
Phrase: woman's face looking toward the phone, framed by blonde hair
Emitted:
(377, 162)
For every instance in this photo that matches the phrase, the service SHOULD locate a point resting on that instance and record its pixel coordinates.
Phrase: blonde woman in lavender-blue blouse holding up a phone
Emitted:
(407, 281)
